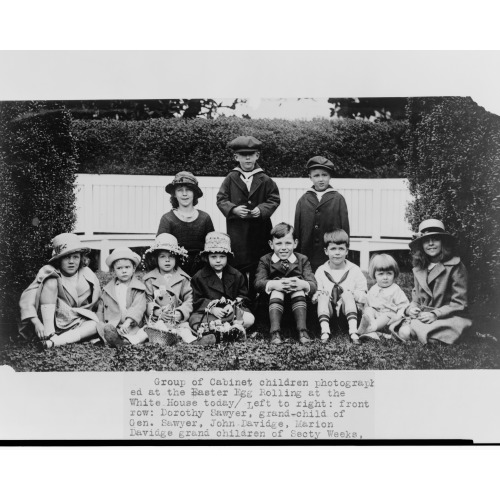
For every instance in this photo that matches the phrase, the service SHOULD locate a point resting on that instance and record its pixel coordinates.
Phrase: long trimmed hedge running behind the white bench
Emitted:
(164, 147)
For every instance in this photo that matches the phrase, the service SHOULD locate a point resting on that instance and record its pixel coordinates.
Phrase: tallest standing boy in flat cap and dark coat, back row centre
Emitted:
(248, 198)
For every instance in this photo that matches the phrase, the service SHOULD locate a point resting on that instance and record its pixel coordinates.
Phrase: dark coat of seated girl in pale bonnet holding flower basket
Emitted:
(207, 287)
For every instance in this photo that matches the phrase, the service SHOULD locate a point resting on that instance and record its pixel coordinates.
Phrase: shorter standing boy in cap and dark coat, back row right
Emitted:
(319, 210)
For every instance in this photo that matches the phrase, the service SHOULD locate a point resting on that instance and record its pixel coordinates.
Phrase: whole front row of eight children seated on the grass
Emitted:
(213, 304)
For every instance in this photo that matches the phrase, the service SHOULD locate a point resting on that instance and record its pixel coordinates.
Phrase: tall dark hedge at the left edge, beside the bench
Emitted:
(37, 200)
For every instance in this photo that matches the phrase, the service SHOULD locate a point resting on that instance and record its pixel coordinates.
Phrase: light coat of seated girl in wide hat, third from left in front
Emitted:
(178, 286)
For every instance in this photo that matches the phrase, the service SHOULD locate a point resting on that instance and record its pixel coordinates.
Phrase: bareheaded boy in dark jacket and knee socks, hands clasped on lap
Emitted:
(283, 273)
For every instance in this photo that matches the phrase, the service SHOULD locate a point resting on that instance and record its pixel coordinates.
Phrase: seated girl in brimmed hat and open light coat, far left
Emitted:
(65, 293)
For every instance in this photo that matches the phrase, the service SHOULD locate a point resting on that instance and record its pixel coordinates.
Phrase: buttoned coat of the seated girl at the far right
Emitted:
(442, 290)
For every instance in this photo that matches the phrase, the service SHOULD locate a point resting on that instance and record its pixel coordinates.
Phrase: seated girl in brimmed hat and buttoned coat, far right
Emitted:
(438, 310)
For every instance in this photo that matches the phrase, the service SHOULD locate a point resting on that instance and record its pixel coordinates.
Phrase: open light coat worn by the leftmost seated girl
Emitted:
(30, 299)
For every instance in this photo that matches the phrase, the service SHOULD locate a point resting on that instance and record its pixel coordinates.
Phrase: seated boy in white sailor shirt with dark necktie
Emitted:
(341, 285)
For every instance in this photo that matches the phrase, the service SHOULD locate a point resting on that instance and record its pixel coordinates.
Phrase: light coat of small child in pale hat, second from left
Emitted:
(109, 311)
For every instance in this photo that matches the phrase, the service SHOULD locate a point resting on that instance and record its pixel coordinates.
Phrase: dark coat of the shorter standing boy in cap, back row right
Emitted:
(314, 218)
